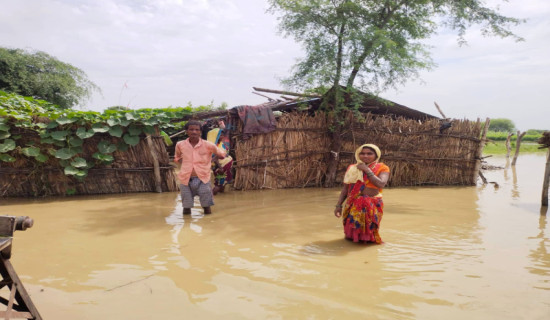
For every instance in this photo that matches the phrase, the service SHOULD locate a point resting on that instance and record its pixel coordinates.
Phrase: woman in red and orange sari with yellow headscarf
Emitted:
(362, 192)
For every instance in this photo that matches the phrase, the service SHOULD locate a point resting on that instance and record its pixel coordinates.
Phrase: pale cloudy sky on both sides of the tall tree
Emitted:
(160, 53)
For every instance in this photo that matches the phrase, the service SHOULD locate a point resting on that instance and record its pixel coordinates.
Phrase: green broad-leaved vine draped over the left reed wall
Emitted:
(63, 132)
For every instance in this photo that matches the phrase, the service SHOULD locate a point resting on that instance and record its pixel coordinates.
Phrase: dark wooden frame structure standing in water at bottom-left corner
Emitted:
(19, 304)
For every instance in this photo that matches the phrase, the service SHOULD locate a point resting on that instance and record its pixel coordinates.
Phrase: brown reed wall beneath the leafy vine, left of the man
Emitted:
(131, 171)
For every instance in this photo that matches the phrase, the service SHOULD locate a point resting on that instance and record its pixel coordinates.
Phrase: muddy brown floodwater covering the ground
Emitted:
(449, 253)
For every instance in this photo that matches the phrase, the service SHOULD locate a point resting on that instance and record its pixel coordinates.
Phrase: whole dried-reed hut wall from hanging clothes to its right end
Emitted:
(417, 152)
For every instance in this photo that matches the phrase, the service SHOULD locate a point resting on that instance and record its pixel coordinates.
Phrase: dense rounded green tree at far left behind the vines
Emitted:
(42, 76)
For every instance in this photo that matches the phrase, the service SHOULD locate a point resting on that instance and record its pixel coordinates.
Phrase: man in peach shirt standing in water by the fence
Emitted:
(194, 155)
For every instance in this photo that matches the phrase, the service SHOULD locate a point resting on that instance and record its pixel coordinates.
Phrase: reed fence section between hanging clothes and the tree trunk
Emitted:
(289, 157)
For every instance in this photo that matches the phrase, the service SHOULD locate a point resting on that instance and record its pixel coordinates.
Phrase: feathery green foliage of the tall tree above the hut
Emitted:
(378, 43)
